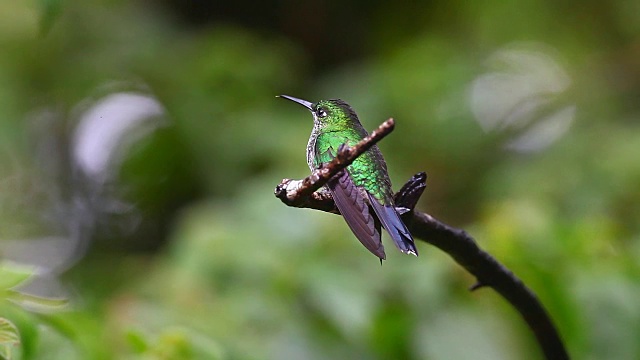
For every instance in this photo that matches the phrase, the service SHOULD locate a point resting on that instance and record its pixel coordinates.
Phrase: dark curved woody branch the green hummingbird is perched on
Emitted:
(455, 242)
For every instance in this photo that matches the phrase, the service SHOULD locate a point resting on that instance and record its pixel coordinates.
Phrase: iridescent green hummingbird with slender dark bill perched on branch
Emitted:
(362, 192)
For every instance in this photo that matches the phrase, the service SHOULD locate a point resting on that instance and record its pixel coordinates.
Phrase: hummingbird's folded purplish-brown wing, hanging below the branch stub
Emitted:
(356, 212)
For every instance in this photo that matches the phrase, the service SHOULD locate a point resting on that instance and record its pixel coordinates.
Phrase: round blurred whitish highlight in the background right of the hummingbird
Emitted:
(517, 97)
